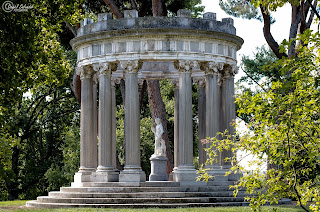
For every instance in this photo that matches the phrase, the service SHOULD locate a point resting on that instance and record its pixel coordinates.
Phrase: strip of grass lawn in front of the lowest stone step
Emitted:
(19, 205)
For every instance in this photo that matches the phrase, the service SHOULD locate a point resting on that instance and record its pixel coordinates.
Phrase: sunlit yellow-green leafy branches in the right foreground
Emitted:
(284, 131)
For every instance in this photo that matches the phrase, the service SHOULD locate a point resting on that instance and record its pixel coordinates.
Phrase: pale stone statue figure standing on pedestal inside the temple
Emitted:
(159, 145)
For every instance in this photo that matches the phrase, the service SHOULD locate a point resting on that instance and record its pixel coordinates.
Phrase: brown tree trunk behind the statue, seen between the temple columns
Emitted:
(158, 110)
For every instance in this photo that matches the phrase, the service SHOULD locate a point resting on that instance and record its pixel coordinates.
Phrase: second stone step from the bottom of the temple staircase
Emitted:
(46, 199)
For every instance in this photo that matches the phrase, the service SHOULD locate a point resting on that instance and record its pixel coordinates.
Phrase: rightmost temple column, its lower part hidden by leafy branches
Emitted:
(228, 105)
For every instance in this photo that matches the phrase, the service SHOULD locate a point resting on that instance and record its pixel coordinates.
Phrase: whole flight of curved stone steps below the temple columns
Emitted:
(142, 195)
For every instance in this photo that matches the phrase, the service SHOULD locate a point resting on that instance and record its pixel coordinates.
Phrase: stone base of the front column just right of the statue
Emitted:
(185, 174)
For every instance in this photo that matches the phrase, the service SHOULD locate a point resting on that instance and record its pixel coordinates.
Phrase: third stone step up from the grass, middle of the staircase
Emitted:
(143, 194)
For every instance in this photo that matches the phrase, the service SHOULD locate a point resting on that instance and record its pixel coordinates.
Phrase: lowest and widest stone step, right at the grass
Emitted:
(38, 204)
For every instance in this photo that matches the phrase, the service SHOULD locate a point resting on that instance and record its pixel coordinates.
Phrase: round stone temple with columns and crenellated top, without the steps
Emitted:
(183, 49)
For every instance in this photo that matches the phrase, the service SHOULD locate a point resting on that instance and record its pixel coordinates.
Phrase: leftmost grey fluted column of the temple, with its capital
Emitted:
(88, 146)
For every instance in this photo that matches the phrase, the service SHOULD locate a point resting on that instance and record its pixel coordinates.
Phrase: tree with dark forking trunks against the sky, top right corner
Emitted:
(302, 16)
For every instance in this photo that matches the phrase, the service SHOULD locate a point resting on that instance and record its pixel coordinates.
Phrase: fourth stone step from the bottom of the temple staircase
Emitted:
(144, 189)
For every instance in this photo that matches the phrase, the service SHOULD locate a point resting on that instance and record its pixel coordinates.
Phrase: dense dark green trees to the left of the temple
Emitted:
(36, 101)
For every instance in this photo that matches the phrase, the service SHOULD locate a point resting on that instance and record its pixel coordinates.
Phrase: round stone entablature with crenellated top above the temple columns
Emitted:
(156, 39)
